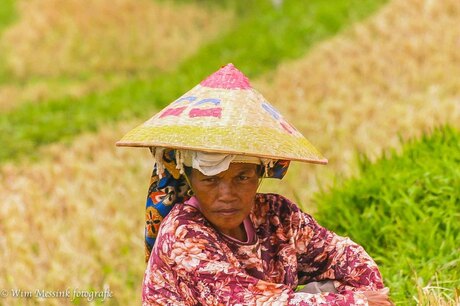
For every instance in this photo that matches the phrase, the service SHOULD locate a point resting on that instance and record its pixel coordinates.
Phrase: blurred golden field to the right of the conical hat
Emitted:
(364, 90)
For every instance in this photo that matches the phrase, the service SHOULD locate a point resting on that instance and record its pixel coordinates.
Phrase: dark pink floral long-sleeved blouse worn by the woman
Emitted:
(193, 264)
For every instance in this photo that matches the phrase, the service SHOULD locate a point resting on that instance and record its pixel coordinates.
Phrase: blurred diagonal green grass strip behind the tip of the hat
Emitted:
(263, 38)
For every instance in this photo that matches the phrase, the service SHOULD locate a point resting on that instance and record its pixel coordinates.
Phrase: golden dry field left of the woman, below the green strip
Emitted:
(75, 220)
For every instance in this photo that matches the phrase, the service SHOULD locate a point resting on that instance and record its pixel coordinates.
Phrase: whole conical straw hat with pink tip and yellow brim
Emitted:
(224, 114)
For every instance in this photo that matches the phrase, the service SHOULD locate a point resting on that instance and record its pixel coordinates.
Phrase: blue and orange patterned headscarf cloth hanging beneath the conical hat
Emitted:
(172, 188)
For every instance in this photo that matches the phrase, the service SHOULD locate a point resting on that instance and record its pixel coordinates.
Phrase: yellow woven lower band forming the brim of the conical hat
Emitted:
(167, 137)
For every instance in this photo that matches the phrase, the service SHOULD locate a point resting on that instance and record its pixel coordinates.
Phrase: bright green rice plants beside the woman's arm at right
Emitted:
(405, 210)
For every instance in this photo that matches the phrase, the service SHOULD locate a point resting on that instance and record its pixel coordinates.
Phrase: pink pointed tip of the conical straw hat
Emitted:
(227, 77)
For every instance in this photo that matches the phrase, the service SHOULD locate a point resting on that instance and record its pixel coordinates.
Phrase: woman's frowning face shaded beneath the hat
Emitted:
(227, 198)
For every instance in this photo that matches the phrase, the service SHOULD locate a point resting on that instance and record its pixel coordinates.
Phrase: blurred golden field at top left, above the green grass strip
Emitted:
(86, 47)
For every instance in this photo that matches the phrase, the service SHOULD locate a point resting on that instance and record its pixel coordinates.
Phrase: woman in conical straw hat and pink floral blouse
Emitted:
(221, 242)
